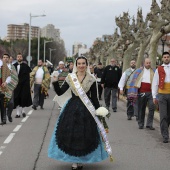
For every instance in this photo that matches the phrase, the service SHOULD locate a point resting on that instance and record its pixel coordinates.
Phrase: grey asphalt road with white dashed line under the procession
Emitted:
(24, 143)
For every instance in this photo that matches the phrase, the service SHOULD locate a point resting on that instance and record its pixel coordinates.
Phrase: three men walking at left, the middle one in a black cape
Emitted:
(16, 80)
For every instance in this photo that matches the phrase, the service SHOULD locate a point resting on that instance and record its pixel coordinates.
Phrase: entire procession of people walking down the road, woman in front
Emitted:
(79, 135)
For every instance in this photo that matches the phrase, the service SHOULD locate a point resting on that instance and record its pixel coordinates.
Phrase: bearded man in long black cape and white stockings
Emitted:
(22, 93)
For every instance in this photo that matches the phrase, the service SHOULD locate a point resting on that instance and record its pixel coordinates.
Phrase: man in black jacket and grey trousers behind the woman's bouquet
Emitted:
(110, 80)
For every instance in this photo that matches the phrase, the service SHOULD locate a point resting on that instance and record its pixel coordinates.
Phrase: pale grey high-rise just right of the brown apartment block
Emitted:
(50, 31)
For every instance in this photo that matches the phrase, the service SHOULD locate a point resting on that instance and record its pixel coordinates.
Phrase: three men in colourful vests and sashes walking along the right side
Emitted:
(150, 87)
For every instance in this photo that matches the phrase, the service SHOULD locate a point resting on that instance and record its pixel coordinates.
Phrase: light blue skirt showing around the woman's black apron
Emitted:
(98, 155)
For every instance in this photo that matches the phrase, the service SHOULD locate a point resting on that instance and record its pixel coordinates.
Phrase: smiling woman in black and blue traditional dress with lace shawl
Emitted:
(76, 137)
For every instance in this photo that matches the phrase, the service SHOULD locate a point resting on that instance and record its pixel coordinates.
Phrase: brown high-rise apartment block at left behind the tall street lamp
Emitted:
(21, 31)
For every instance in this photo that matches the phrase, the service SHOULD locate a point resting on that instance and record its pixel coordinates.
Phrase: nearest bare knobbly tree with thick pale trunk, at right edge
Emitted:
(159, 18)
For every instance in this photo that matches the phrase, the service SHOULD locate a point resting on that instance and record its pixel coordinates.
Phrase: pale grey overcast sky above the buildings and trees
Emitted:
(78, 20)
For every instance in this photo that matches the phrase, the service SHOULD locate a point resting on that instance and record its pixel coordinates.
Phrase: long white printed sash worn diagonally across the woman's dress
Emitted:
(84, 98)
